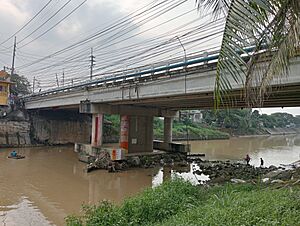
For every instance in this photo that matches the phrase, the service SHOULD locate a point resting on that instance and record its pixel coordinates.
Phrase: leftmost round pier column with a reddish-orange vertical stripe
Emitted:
(97, 130)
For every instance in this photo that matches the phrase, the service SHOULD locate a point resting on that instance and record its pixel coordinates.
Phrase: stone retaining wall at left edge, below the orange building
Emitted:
(14, 133)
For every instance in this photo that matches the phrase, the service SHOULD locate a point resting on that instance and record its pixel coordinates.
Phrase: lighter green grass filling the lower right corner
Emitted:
(236, 205)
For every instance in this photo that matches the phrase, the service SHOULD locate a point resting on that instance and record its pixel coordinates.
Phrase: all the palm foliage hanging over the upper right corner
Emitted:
(260, 38)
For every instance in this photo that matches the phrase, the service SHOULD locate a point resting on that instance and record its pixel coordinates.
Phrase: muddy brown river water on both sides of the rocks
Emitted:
(50, 183)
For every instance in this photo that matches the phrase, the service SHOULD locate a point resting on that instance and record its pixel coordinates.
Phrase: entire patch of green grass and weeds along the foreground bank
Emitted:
(180, 203)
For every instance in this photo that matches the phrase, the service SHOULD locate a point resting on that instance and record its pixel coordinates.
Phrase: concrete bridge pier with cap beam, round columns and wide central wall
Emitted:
(136, 125)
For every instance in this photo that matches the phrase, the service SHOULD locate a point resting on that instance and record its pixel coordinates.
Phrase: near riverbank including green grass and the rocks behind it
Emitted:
(235, 192)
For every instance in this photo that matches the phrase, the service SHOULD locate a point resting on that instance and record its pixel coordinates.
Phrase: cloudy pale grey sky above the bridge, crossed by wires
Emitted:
(112, 49)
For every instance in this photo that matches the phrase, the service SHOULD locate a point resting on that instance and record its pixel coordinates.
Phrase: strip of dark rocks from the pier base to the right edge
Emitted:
(219, 172)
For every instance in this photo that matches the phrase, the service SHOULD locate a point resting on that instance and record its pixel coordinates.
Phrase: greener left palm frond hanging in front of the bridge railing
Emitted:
(244, 25)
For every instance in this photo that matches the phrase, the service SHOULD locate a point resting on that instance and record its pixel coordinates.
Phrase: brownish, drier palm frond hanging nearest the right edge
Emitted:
(281, 41)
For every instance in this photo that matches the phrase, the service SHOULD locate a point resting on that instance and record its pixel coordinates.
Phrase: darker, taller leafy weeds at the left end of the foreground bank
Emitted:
(151, 206)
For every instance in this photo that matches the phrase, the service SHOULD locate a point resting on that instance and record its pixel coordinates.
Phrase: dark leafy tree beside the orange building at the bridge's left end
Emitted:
(21, 85)
